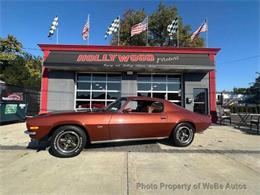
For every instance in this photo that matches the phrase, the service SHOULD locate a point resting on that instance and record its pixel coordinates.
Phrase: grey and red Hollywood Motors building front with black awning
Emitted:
(77, 77)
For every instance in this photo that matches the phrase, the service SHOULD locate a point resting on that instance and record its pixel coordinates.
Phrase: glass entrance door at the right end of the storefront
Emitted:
(200, 96)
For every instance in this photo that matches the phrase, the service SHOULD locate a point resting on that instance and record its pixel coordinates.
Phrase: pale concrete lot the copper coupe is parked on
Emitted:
(222, 160)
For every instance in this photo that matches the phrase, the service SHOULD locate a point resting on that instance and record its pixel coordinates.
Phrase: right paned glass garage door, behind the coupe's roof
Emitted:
(160, 86)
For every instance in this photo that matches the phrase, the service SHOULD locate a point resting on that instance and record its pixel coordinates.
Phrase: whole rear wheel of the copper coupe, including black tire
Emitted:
(183, 135)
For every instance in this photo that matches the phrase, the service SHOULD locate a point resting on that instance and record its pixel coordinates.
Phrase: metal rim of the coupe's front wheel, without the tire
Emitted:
(68, 141)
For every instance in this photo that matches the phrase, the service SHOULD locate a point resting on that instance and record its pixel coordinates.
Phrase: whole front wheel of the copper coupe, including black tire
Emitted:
(68, 141)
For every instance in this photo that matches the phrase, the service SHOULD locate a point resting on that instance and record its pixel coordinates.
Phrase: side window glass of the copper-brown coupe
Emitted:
(144, 106)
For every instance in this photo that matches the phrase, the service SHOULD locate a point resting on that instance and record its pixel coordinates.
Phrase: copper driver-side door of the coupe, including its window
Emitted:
(136, 122)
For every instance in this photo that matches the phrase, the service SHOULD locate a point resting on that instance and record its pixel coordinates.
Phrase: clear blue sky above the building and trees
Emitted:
(234, 26)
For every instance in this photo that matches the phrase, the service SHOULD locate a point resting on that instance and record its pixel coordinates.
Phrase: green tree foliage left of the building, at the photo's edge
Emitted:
(18, 67)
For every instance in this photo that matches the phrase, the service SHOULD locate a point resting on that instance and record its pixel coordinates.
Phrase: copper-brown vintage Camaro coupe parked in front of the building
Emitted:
(126, 119)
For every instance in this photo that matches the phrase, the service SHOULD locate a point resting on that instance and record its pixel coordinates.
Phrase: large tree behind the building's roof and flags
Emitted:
(158, 35)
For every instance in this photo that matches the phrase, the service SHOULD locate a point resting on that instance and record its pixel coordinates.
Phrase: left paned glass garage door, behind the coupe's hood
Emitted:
(97, 90)
